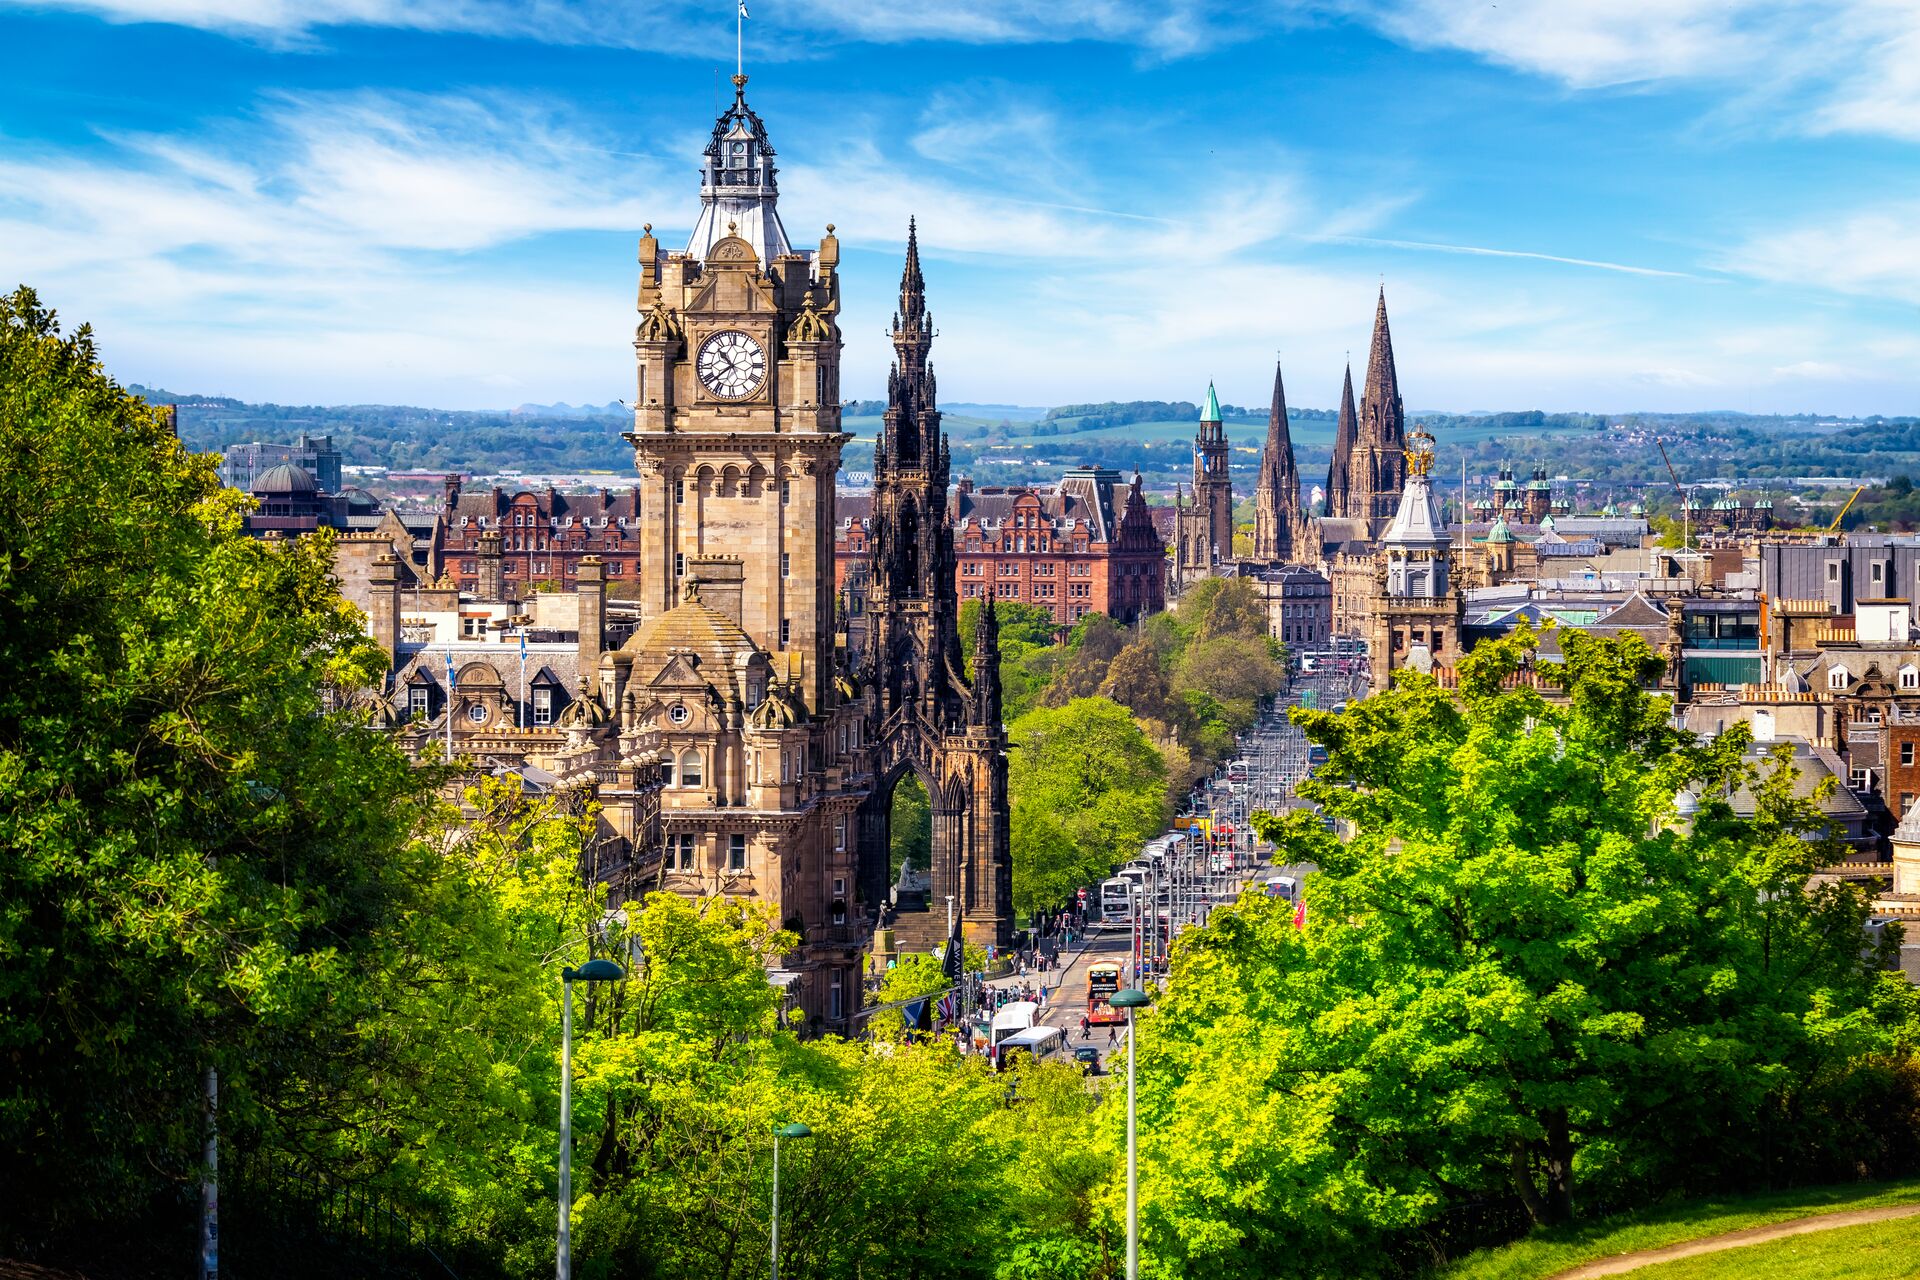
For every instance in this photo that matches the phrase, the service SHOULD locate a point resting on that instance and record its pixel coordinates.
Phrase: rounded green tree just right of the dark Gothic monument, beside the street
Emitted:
(1088, 790)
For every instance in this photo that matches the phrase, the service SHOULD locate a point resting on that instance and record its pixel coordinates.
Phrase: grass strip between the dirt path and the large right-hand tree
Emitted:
(1550, 1252)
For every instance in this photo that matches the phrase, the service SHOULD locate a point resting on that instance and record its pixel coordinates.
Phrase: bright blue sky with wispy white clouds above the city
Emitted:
(1573, 204)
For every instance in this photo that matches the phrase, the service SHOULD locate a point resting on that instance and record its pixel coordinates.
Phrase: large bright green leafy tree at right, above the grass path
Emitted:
(1525, 974)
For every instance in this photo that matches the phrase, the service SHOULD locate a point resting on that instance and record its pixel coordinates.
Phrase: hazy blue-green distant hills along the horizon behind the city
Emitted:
(1614, 452)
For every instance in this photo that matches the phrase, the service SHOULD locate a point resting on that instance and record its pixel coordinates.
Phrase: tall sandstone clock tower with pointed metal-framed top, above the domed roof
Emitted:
(736, 412)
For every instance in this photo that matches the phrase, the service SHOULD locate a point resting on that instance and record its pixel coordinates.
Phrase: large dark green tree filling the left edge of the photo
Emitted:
(199, 866)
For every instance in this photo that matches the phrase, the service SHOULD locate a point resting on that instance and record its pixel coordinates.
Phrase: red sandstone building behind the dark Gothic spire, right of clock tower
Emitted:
(1084, 548)
